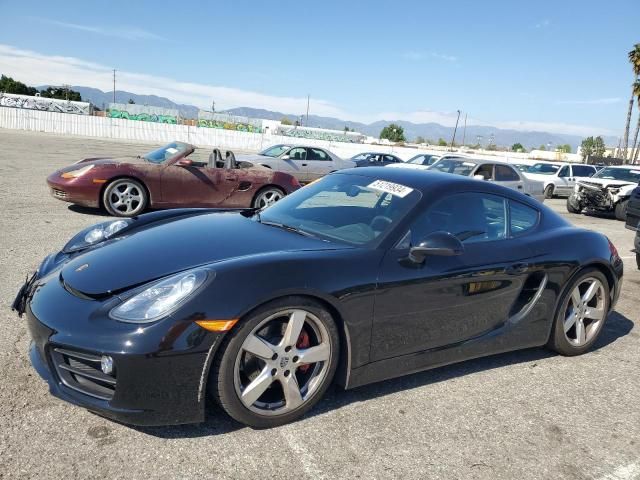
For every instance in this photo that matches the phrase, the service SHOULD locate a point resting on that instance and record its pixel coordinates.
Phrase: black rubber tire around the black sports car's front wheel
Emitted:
(222, 379)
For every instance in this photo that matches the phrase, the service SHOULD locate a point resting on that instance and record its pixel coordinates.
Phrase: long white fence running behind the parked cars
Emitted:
(149, 132)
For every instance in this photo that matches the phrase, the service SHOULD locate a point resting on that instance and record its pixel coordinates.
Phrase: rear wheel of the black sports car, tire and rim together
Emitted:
(582, 314)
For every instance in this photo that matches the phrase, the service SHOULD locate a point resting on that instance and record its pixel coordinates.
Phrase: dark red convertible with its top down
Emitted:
(169, 177)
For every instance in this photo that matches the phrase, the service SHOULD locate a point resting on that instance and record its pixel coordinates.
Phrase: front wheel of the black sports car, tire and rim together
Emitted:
(278, 363)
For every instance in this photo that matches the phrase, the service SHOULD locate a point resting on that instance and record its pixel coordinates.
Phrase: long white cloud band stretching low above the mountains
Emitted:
(38, 69)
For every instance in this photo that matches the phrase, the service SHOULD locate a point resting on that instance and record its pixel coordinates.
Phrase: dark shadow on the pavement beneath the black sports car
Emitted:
(217, 422)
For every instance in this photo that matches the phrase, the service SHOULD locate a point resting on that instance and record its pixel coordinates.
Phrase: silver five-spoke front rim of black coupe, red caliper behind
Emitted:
(273, 375)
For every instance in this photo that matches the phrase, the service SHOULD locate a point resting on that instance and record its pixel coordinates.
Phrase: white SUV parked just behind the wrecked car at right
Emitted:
(559, 178)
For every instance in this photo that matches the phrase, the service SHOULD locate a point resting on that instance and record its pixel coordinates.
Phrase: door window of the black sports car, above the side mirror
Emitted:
(472, 217)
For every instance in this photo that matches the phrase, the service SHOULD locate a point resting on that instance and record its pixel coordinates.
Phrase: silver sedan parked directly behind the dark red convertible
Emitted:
(305, 163)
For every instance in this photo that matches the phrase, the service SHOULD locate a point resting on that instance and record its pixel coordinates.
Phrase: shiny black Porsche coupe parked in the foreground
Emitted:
(367, 274)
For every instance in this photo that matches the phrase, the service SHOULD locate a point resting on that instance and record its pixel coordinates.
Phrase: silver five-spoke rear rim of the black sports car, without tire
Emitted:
(585, 312)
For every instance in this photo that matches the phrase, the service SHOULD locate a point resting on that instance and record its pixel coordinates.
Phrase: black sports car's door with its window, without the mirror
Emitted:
(450, 299)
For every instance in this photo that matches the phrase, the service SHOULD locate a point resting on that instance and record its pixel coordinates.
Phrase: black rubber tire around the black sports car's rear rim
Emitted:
(558, 340)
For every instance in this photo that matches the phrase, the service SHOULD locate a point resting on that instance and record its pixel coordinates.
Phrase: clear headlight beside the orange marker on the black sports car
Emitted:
(161, 298)
